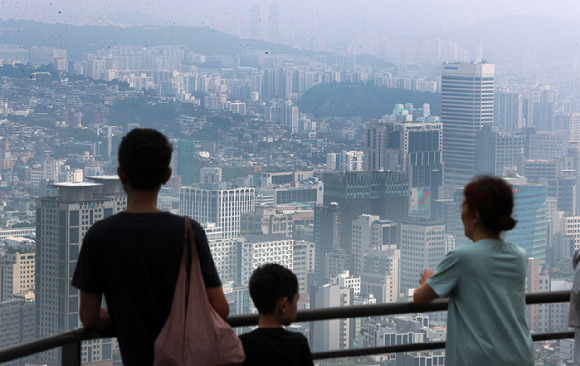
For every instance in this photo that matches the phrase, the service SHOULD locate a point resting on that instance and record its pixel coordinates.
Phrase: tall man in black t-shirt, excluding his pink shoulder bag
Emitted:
(133, 257)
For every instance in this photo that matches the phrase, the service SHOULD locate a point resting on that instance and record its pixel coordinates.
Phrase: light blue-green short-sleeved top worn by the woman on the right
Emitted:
(486, 322)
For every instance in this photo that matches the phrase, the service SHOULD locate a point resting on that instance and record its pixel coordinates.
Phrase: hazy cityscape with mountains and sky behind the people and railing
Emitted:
(332, 137)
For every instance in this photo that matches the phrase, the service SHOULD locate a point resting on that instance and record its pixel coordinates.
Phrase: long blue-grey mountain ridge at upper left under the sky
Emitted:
(79, 39)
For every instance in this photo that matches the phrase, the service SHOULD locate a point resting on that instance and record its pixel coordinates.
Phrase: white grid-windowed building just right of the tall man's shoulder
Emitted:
(218, 204)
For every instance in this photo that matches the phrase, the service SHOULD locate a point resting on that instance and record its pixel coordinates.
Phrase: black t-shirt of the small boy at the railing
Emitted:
(276, 347)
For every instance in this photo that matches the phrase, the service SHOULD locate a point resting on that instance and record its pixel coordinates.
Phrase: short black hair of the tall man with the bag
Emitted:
(144, 155)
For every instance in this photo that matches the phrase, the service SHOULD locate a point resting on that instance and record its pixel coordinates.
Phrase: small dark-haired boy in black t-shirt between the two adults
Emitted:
(274, 290)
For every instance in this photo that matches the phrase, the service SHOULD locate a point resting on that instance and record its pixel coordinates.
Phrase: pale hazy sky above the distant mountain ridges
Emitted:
(297, 16)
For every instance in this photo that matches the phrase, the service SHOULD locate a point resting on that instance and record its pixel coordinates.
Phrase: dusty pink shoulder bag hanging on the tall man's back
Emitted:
(194, 334)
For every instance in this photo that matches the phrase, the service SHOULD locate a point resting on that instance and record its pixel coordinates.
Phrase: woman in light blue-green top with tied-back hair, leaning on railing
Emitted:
(485, 283)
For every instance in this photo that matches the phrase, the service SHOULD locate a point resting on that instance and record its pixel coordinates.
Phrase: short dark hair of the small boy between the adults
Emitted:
(269, 283)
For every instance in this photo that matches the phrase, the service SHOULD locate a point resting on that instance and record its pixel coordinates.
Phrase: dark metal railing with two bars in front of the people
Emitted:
(71, 341)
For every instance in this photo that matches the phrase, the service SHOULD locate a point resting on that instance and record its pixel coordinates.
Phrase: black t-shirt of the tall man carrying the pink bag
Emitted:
(134, 259)
